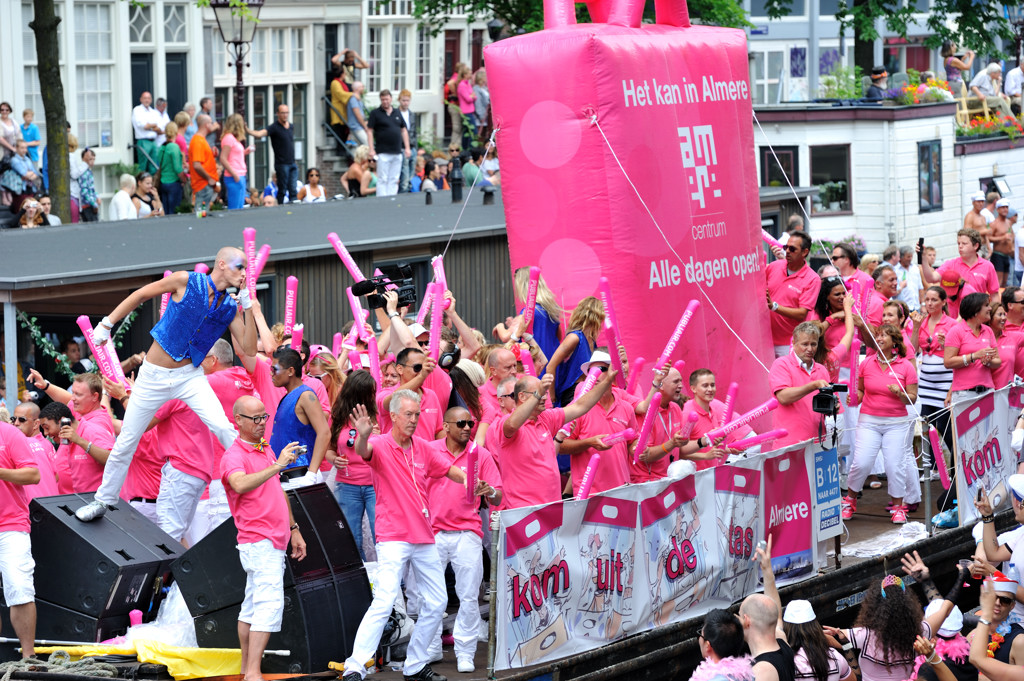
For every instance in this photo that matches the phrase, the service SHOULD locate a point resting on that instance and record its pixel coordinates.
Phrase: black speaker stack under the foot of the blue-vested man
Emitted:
(90, 576)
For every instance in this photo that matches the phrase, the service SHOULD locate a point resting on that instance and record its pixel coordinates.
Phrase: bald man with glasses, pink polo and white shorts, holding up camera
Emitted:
(263, 515)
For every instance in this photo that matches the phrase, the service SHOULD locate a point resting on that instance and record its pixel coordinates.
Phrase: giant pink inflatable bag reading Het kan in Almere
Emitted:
(586, 113)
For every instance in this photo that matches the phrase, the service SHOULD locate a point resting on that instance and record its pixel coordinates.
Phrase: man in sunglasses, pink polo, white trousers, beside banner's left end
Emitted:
(458, 531)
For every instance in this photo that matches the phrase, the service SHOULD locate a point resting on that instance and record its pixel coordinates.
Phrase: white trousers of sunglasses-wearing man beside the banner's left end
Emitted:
(464, 551)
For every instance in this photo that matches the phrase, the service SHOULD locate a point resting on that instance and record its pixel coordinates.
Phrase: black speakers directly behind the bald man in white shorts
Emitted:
(326, 594)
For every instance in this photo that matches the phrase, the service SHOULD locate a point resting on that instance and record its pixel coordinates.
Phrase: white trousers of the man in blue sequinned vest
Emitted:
(155, 388)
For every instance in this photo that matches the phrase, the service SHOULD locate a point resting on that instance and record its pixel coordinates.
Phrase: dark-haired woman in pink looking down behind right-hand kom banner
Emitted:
(971, 350)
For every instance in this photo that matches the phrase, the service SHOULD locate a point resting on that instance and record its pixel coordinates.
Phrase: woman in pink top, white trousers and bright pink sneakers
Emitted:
(887, 382)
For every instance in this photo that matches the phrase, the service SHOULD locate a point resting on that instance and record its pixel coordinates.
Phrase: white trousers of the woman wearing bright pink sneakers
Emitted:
(888, 435)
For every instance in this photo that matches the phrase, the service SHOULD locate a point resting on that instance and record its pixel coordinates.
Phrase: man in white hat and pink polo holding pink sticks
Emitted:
(613, 414)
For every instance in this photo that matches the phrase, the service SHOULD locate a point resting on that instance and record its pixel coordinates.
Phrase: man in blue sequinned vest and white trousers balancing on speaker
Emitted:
(199, 313)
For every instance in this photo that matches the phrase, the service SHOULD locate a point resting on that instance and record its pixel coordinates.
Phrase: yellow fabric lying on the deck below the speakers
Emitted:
(182, 663)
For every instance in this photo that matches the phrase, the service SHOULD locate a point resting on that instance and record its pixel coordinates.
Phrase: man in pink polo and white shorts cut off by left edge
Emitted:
(17, 567)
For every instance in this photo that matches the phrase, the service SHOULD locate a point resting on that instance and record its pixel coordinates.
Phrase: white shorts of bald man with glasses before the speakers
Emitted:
(265, 605)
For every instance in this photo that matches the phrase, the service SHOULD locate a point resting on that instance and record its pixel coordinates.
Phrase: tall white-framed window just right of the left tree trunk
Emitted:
(95, 71)
